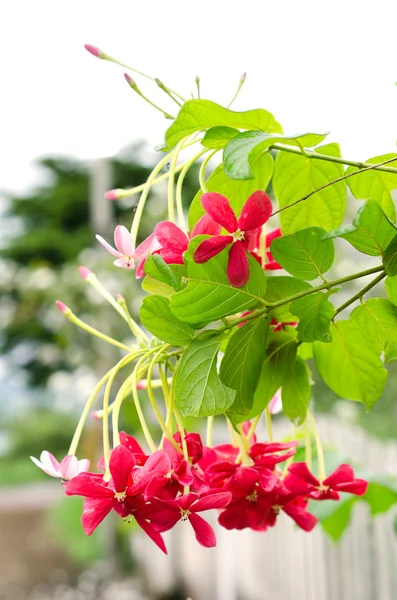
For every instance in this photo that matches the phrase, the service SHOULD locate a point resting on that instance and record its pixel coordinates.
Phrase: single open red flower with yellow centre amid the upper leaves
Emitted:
(244, 232)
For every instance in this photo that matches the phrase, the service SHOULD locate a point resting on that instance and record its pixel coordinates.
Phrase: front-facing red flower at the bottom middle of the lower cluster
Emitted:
(165, 514)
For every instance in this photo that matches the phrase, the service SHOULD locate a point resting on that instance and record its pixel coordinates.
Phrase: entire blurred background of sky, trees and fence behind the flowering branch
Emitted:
(71, 129)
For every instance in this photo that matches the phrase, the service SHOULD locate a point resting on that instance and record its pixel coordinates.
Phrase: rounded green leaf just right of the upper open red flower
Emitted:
(303, 254)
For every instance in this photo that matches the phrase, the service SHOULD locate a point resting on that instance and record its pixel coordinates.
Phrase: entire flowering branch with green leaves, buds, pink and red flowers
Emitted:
(224, 333)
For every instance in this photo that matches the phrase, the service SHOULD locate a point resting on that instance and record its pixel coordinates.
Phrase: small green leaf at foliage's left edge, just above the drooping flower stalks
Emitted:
(157, 317)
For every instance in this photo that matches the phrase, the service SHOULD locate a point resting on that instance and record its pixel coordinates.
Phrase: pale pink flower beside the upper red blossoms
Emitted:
(125, 252)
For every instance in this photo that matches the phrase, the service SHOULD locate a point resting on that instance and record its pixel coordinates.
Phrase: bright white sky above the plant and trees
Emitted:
(317, 66)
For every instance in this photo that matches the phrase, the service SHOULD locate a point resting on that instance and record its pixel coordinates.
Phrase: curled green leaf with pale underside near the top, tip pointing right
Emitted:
(243, 150)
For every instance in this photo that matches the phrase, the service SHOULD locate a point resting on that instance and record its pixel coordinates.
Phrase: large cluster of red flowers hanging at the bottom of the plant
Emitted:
(246, 486)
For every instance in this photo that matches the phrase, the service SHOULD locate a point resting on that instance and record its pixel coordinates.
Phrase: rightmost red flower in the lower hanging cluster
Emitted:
(302, 481)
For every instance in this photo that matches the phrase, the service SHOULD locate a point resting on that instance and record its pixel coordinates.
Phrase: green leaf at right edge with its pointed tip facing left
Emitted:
(371, 231)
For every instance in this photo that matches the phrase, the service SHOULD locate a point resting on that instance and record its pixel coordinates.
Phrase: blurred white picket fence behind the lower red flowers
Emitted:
(285, 562)
